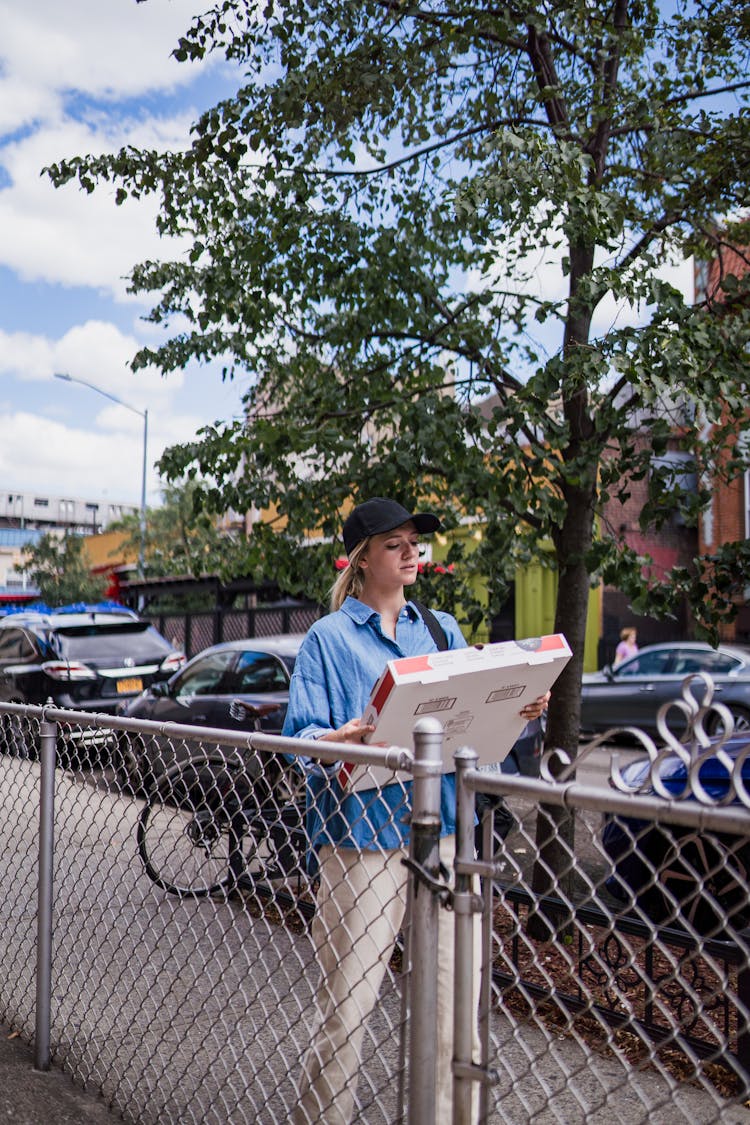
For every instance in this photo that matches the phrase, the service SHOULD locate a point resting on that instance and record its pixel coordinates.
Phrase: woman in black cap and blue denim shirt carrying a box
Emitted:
(362, 839)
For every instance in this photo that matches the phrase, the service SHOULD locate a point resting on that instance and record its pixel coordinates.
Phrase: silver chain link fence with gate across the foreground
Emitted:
(183, 968)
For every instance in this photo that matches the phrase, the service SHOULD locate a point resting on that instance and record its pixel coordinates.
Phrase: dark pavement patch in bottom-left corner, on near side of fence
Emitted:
(34, 1097)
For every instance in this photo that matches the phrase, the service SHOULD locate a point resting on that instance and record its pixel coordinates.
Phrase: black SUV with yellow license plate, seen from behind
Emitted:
(86, 659)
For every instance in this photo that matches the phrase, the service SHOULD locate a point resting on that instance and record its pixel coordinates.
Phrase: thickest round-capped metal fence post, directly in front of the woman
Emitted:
(424, 852)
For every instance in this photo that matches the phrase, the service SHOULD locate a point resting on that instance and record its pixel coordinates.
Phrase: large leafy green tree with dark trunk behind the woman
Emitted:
(366, 219)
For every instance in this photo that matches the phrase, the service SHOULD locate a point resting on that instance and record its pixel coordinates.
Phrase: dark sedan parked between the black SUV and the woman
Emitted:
(257, 672)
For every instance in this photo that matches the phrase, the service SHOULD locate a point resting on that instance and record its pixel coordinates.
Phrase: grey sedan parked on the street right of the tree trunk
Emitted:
(631, 695)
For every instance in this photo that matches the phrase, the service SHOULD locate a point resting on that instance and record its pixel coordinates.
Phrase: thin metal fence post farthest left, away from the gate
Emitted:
(49, 740)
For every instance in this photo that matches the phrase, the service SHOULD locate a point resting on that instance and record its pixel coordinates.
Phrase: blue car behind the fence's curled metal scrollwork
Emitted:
(675, 875)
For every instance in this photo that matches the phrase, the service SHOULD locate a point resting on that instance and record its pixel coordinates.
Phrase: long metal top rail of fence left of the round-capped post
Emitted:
(391, 758)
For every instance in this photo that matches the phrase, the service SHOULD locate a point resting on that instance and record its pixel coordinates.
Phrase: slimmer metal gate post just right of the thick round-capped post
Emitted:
(464, 905)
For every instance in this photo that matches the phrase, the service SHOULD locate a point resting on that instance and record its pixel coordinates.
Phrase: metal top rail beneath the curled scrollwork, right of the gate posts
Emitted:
(572, 795)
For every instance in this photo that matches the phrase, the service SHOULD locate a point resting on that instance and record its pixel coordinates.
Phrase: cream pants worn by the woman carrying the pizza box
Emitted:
(360, 911)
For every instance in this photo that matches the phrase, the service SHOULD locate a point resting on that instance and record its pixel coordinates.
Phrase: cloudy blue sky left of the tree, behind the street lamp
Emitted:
(76, 78)
